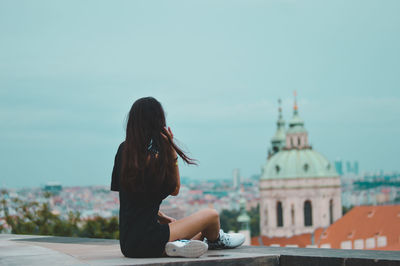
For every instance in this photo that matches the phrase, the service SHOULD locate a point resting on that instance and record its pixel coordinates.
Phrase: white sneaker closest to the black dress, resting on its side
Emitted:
(186, 248)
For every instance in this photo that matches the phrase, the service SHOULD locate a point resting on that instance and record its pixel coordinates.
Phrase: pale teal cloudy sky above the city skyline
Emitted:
(70, 71)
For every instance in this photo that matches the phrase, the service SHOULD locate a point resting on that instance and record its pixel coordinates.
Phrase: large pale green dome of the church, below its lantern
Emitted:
(305, 163)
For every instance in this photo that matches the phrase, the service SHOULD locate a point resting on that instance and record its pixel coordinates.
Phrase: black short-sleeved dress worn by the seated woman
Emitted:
(139, 231)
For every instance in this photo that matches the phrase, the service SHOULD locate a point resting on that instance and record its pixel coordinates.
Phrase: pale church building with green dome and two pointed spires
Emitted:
(299, 187)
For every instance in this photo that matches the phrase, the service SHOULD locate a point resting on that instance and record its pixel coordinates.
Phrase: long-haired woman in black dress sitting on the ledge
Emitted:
(145, 172)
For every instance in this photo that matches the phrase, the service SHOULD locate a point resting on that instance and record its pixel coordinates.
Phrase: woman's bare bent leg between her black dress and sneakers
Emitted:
(205, 222)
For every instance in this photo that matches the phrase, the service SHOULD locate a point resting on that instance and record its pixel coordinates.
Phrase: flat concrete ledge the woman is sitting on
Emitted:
(49, 250)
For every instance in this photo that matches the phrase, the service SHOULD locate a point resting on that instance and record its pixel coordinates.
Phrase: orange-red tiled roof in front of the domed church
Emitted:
(360, 223)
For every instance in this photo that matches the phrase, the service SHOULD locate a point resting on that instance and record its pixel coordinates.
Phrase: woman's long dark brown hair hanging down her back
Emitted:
(147, 160)
